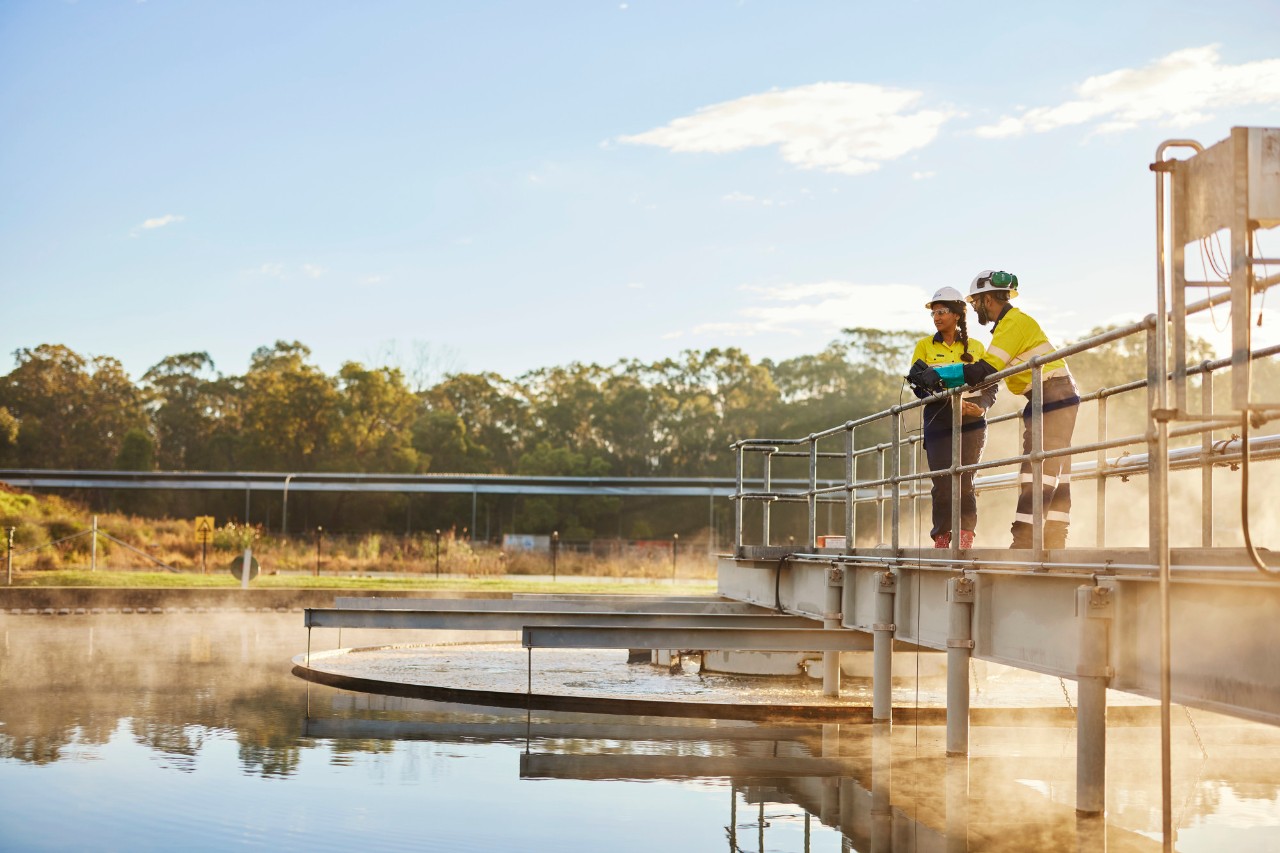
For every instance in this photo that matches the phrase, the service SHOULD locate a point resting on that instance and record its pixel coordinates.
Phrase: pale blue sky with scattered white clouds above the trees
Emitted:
(450, 186)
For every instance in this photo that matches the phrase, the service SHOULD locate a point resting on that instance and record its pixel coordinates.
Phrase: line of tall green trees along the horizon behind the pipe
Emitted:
(669, 418)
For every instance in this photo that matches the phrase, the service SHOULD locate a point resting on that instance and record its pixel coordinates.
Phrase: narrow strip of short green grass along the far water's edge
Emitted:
(502, 583)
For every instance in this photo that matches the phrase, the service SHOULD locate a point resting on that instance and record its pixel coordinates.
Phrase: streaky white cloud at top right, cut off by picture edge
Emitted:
(1178, 90)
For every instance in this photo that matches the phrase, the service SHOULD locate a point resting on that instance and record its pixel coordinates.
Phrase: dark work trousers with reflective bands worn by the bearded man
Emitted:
(1062, 407)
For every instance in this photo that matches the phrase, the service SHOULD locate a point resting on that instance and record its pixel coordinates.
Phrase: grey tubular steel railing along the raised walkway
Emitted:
(892, 485)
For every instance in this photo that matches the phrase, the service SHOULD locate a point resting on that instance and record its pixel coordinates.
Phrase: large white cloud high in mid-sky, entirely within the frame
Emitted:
(849, 129)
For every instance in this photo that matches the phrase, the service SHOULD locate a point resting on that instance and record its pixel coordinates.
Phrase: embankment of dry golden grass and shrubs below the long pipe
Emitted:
(52, 549)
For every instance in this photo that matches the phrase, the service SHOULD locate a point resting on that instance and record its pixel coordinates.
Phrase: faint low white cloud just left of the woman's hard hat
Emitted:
(822, 309)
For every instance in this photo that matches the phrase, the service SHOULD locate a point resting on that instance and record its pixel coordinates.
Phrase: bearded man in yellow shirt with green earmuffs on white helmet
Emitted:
(1016, 339)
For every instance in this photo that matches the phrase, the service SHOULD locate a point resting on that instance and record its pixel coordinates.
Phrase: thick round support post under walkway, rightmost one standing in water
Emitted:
(1092, 674)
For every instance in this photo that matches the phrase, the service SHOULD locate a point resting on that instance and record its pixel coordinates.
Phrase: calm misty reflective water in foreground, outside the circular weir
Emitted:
(159, 731)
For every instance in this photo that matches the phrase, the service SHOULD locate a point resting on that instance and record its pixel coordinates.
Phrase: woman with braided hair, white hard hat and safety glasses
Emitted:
(952, 346)
